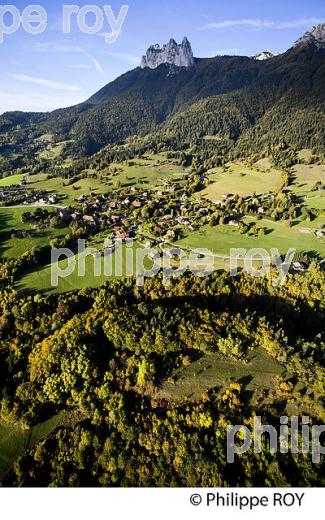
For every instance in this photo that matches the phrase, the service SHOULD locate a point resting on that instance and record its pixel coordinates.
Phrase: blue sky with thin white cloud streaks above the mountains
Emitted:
(52, 69)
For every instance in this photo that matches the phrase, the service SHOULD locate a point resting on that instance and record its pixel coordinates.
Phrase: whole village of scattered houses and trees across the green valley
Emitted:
(157, 215)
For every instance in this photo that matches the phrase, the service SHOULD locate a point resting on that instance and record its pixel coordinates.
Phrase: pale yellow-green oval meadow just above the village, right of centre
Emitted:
(241, 180)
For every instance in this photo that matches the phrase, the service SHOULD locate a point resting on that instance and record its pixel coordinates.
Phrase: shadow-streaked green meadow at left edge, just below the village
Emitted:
(13, 247)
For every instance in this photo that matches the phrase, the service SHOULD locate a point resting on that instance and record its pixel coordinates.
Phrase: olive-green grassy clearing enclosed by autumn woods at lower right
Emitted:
(258, 378)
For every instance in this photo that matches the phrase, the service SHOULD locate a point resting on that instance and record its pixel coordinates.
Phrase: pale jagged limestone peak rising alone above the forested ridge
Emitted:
(171, 53)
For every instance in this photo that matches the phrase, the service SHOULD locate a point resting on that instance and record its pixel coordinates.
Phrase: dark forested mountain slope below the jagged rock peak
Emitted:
(143, 101)
